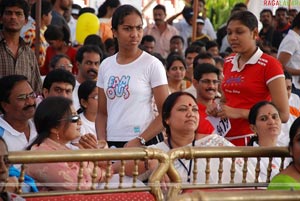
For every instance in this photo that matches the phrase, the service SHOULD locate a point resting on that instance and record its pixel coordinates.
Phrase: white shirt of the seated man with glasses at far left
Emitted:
(15, 140)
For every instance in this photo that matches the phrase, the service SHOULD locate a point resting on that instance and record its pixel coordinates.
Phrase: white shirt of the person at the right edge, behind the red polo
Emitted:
(291, 45)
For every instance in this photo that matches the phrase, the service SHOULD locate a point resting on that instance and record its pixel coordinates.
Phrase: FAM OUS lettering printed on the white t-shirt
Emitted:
(118, 87)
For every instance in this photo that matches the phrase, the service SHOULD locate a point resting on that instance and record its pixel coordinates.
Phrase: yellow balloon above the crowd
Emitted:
(87, 24)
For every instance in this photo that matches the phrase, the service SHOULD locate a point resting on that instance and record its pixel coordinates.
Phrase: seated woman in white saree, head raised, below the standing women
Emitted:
(180, 117)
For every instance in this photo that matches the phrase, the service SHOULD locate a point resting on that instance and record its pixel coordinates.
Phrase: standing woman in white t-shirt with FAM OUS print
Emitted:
(126, 83)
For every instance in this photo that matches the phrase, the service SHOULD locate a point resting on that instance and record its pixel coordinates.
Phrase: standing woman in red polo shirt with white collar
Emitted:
(250, 76)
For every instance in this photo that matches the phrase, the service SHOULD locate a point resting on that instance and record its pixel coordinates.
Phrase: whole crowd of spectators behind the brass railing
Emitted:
(133, 85)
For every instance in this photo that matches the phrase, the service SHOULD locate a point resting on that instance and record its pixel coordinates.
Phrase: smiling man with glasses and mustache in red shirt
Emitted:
(206, 82)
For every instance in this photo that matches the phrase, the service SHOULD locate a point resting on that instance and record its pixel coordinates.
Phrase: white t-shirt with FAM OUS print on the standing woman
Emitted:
(128, 90)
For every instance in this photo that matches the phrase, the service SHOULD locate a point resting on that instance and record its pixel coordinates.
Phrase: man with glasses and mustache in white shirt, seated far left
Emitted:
(17, 104)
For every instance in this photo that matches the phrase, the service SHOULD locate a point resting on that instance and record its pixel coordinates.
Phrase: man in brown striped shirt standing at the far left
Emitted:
(16, 56)
